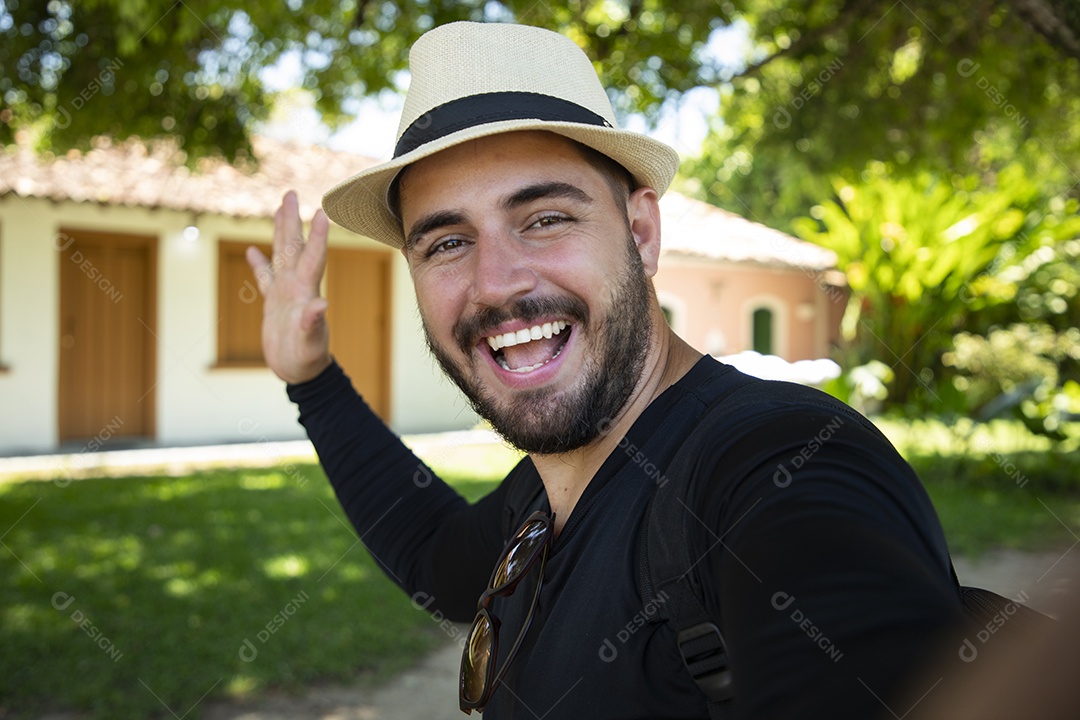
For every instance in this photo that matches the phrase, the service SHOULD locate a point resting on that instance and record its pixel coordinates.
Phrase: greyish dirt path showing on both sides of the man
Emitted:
(429, 691)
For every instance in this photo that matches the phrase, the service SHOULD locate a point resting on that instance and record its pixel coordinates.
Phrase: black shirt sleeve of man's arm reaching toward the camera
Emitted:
(835, 585)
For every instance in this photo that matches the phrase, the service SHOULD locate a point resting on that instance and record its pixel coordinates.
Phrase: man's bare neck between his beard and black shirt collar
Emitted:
(566, 476)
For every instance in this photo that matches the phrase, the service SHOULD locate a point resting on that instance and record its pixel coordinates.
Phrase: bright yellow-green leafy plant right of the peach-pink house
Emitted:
(914, 252)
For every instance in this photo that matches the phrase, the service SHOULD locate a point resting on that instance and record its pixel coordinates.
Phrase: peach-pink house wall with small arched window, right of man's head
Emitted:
(719, 300)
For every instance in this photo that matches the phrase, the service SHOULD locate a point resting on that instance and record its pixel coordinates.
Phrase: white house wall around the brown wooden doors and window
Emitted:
(197, 403)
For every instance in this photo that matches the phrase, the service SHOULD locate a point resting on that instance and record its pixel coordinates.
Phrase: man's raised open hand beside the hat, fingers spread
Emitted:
(295, 338)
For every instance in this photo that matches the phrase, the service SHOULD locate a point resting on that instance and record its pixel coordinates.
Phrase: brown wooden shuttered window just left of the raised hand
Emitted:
(239, 308)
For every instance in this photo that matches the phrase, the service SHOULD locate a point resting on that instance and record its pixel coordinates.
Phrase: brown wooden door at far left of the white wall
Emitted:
(107, 336)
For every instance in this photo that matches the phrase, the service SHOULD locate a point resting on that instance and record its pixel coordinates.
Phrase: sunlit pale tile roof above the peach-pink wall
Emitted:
(696, 229)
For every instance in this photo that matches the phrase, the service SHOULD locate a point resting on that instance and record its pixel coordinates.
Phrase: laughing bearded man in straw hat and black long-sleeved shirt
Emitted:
(531, 227)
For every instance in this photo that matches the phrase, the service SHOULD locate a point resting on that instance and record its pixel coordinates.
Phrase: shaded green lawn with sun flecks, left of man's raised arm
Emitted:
(139, 597)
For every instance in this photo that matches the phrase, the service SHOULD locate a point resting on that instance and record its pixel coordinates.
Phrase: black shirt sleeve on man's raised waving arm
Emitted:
(428, 539)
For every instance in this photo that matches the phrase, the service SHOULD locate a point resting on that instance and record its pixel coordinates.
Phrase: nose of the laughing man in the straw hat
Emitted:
(502, 270)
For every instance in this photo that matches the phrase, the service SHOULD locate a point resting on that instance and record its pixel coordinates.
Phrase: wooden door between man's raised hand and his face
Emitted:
(358, 290)
